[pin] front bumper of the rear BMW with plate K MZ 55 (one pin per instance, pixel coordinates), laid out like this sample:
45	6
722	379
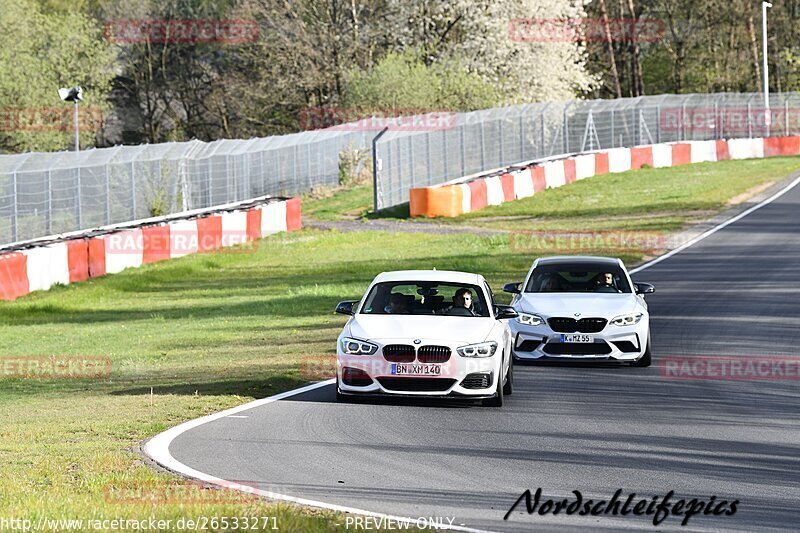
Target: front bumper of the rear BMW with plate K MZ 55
624	344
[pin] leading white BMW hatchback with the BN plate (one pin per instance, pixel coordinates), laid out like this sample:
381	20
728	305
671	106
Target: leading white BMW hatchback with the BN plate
426	333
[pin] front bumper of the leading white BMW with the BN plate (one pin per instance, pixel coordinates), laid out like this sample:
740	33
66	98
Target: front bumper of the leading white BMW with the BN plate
460	377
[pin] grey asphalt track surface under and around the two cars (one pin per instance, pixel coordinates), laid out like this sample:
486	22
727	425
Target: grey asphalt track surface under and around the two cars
735	293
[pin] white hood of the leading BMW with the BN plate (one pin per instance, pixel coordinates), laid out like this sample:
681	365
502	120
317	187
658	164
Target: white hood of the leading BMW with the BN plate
425	327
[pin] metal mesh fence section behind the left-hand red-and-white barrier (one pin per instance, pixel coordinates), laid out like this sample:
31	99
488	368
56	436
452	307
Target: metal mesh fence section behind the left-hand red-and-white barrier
52	193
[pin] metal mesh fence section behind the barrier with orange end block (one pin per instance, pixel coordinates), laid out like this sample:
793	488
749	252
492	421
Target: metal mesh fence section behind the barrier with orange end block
495	138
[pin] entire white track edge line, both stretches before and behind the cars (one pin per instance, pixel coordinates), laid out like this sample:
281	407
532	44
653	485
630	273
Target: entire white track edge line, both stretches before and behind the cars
157	448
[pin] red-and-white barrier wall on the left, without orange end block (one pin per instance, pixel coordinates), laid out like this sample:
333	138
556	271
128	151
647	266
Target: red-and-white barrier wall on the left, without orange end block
40	267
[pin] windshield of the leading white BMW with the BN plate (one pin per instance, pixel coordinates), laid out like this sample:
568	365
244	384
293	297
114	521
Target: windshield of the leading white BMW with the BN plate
425	298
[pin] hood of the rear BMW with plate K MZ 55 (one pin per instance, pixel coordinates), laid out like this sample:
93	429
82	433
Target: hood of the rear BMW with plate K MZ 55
587	304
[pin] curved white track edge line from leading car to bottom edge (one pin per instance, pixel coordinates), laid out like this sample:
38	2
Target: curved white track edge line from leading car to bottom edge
157	449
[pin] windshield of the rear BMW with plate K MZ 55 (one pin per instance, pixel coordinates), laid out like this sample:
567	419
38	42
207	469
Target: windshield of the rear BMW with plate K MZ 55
579	277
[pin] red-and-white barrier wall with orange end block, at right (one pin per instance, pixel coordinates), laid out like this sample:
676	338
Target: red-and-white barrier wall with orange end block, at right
464	196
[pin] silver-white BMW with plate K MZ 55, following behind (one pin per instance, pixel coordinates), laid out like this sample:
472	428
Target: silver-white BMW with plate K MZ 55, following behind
580	308
